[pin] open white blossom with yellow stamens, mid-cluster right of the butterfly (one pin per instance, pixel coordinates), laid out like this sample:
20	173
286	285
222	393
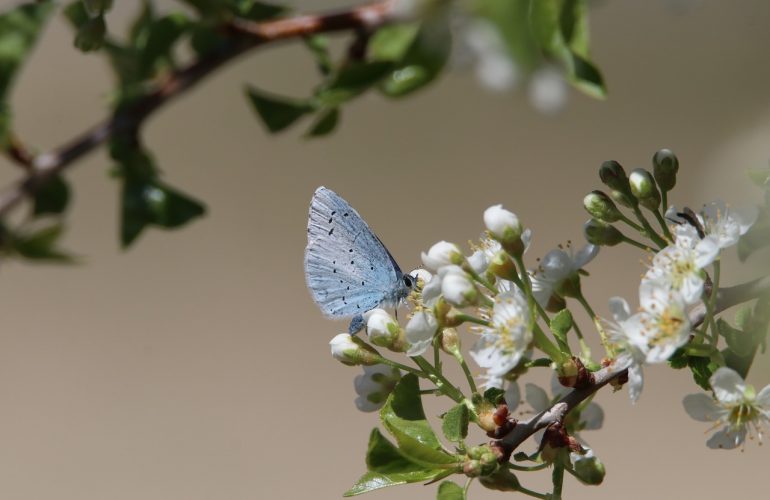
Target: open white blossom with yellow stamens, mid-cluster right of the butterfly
503	344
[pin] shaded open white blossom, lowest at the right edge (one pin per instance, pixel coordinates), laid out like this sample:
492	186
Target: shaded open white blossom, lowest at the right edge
735	407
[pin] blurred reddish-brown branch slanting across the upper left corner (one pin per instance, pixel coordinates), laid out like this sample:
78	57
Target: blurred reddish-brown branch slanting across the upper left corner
242	35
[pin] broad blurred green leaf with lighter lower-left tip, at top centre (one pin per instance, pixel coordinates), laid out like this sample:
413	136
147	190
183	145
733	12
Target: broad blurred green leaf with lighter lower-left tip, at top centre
424	60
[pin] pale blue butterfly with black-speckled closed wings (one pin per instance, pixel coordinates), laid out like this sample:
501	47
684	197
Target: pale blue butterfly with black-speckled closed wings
347	268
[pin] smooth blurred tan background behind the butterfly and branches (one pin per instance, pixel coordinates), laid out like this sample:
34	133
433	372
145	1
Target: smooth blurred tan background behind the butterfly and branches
195	365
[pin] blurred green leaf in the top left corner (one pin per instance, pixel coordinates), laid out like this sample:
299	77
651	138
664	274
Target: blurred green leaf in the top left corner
20	28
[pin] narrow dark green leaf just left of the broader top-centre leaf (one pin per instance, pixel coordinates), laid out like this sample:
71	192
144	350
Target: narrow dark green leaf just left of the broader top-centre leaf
352	80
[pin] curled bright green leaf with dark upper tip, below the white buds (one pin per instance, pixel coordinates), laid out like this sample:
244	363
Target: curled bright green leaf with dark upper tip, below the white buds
404	418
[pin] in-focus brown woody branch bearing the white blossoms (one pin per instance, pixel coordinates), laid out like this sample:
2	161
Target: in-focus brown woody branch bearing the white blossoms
727	297
